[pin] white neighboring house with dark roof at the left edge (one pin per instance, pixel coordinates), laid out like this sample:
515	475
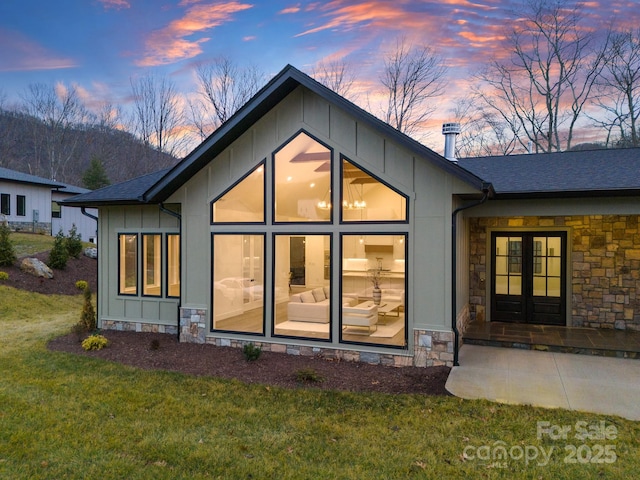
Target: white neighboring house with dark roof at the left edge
29	203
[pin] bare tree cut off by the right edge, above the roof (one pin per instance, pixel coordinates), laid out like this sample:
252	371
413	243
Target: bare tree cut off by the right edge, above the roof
619	89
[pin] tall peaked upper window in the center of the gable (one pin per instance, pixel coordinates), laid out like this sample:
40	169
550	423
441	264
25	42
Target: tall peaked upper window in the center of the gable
302	173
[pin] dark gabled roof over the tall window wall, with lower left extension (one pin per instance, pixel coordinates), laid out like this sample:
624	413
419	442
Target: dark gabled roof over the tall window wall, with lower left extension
269	96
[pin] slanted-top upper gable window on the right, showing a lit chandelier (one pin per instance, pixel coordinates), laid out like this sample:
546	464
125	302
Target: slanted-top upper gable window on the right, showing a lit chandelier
367	199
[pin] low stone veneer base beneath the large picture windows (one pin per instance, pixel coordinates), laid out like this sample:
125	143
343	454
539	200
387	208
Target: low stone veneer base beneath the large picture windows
432	348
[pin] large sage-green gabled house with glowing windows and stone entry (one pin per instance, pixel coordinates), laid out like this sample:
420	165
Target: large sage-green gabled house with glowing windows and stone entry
275	229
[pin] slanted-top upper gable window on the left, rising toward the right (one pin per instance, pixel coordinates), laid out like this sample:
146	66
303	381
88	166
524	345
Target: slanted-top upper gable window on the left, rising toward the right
243	202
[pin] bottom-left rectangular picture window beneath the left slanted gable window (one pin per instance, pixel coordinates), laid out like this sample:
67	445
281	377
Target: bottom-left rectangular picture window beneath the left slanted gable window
238	283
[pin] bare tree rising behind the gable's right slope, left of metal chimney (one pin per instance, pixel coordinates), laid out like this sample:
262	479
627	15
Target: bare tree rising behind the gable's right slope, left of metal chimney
413	76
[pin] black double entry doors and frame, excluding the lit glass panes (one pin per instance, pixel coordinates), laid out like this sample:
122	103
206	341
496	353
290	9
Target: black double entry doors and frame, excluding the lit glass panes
525	308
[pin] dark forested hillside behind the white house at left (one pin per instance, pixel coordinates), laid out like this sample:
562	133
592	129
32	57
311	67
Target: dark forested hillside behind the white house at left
64	153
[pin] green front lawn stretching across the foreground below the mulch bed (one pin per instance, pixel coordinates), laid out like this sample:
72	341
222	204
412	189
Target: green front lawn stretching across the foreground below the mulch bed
63	416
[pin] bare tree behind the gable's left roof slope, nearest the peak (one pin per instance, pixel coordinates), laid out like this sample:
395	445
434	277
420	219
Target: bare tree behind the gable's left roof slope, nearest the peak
223	88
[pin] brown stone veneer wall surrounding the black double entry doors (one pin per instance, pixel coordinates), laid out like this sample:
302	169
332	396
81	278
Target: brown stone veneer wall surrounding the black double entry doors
604	266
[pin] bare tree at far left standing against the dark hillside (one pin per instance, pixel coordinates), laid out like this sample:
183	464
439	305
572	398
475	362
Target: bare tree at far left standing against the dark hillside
61	112
